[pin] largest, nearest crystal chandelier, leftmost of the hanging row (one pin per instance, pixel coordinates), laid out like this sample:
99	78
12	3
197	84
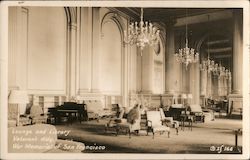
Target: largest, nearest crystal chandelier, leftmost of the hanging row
141	34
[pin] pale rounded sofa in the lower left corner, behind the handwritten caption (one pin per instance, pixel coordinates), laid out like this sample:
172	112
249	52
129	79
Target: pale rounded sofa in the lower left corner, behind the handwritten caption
40	138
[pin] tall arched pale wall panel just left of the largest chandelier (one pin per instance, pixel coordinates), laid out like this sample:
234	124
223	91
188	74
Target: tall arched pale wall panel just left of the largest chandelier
111	59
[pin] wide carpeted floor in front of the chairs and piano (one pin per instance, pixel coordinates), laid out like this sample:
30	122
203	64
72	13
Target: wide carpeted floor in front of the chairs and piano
210	138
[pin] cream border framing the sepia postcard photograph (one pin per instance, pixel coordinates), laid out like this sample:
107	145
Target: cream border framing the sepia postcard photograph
168	4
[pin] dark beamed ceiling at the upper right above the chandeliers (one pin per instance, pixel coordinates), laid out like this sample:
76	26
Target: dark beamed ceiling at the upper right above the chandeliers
220	19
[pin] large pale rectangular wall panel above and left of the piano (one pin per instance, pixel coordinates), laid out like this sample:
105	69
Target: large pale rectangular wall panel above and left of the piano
47	49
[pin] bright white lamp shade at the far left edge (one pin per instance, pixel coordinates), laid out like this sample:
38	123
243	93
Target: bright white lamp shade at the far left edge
18	97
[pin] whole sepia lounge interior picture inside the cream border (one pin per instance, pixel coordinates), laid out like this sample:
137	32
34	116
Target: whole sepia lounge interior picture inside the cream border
138	79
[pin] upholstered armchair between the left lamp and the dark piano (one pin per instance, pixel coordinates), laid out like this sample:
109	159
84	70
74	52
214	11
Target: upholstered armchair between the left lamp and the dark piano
37	115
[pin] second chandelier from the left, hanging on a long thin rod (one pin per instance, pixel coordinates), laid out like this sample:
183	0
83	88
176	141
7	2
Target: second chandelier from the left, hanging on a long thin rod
187	55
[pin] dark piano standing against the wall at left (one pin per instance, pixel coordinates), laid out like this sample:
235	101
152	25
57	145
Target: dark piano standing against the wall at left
69	110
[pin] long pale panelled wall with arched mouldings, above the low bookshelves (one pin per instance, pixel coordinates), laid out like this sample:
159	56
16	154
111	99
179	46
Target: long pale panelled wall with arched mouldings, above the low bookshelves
105	66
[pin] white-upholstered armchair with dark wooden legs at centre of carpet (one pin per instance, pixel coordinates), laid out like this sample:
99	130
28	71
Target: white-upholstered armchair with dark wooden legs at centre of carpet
155	124
